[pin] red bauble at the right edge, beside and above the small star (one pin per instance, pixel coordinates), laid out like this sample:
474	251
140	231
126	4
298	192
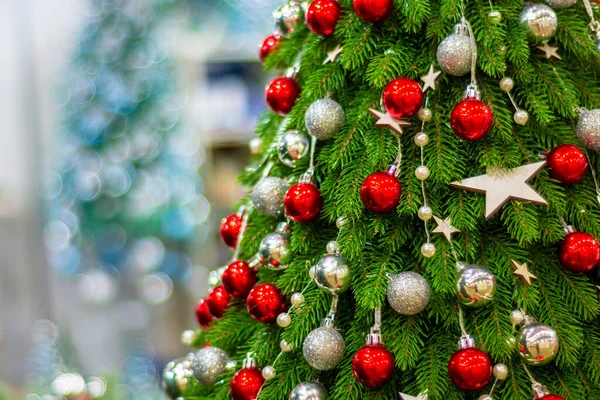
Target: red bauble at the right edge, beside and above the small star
579	253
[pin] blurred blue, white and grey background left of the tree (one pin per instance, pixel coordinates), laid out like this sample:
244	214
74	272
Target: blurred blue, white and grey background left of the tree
124	126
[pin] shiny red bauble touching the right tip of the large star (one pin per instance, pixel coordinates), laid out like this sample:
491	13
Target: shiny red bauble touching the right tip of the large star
567	164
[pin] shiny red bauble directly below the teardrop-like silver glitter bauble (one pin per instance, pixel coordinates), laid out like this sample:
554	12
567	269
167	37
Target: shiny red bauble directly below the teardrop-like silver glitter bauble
471	119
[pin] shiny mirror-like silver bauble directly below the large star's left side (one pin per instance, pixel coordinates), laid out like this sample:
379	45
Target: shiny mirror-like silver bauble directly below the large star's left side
476	286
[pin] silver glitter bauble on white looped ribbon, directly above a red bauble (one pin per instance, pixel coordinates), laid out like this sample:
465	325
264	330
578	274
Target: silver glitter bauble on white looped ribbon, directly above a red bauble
455	52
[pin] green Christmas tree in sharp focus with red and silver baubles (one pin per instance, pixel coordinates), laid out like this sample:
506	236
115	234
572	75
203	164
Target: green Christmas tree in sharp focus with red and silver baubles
428	183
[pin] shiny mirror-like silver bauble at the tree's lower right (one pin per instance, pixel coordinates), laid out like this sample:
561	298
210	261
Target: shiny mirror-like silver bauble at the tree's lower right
537	343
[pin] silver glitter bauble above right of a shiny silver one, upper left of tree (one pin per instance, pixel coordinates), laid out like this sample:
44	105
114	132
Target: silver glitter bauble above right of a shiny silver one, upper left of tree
324	119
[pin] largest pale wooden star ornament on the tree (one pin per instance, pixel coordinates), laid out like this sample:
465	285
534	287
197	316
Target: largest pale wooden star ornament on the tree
501	185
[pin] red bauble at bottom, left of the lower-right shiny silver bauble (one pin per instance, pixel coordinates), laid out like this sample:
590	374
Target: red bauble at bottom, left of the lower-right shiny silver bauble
470	369
